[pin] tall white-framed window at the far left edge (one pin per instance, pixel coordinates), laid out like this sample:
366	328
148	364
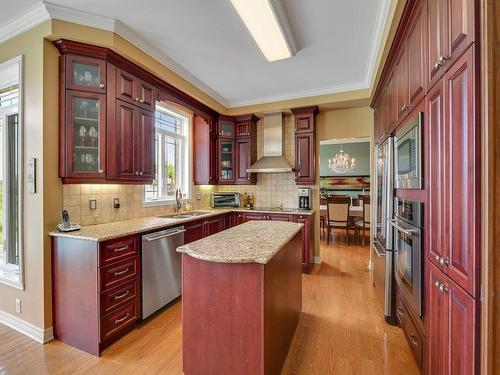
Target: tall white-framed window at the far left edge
10	173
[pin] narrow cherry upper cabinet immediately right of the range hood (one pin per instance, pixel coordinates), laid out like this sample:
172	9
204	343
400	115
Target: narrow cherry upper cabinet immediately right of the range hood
305	144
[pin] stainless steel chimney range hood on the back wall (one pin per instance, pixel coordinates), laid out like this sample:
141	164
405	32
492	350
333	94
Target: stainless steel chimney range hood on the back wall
273	160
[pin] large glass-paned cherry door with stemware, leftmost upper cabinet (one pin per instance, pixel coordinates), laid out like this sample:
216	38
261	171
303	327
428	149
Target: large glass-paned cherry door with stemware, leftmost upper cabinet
85	135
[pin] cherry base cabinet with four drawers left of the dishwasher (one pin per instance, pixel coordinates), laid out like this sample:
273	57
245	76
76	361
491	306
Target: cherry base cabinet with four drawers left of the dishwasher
96	290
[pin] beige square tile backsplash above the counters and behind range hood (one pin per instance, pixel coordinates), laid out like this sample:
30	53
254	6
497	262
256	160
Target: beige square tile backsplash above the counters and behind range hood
271	190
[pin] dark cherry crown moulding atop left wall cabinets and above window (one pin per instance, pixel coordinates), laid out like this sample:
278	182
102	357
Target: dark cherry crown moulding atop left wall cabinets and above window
166	91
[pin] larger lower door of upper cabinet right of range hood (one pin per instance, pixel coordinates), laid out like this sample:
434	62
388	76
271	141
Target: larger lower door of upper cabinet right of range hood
304	158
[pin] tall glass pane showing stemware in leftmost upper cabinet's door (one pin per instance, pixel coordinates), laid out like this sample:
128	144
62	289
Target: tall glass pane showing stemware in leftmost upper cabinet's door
86	135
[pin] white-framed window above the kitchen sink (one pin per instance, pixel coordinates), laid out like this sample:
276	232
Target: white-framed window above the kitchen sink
173	154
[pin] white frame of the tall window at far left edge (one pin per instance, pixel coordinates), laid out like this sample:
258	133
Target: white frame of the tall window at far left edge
20	282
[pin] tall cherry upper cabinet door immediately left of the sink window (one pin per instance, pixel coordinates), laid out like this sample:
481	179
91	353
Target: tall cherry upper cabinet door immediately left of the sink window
144	145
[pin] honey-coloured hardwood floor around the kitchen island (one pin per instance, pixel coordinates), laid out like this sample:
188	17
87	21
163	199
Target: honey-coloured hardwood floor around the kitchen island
341	332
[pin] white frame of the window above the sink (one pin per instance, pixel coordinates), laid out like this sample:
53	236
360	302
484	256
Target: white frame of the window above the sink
187	117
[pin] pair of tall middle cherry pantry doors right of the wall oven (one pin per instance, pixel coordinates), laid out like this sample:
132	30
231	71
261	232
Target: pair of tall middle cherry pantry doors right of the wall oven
454	188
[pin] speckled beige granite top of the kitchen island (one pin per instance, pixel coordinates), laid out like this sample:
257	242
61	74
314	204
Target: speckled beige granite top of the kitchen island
250	242
